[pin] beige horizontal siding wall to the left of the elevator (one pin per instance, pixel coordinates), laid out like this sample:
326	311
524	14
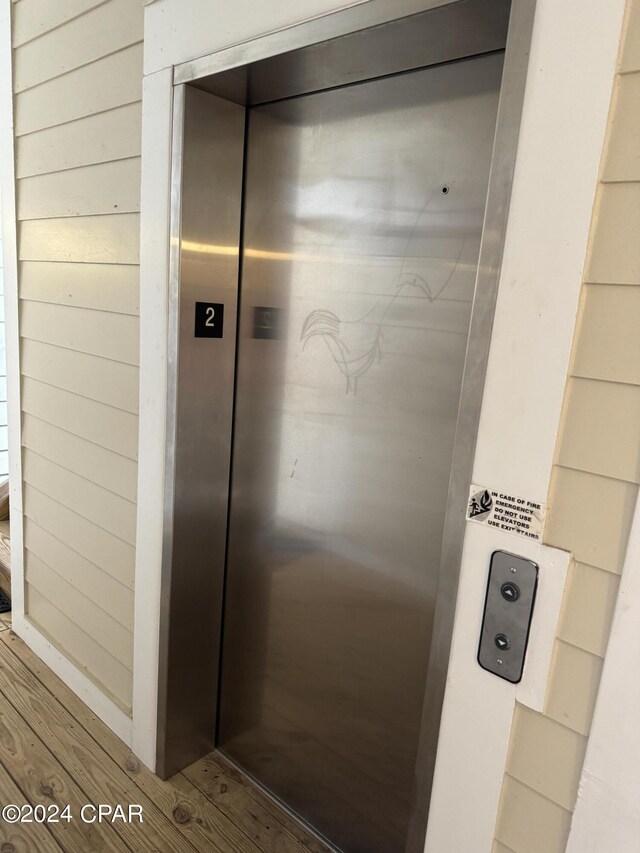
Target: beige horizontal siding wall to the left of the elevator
77	83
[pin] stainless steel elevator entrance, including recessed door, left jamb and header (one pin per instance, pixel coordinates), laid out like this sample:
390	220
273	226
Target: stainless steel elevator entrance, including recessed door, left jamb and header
328	218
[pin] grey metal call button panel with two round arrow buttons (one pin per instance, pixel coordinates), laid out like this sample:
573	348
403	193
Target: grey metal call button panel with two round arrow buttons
508	607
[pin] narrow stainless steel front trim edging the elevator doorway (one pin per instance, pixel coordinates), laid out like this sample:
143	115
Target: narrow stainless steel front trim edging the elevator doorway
359	17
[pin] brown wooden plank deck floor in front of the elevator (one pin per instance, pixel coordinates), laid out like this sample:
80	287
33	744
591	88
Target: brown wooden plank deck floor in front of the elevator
54	752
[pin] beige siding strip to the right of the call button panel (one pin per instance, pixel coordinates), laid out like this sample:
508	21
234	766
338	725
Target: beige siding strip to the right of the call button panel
594	489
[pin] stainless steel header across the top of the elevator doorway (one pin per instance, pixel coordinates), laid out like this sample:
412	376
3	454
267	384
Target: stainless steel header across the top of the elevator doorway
351	46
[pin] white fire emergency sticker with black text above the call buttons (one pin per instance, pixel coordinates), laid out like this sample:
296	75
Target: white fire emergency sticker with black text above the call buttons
506	512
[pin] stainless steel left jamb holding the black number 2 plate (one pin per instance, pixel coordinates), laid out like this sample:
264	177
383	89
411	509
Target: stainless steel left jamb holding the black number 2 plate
198	470
